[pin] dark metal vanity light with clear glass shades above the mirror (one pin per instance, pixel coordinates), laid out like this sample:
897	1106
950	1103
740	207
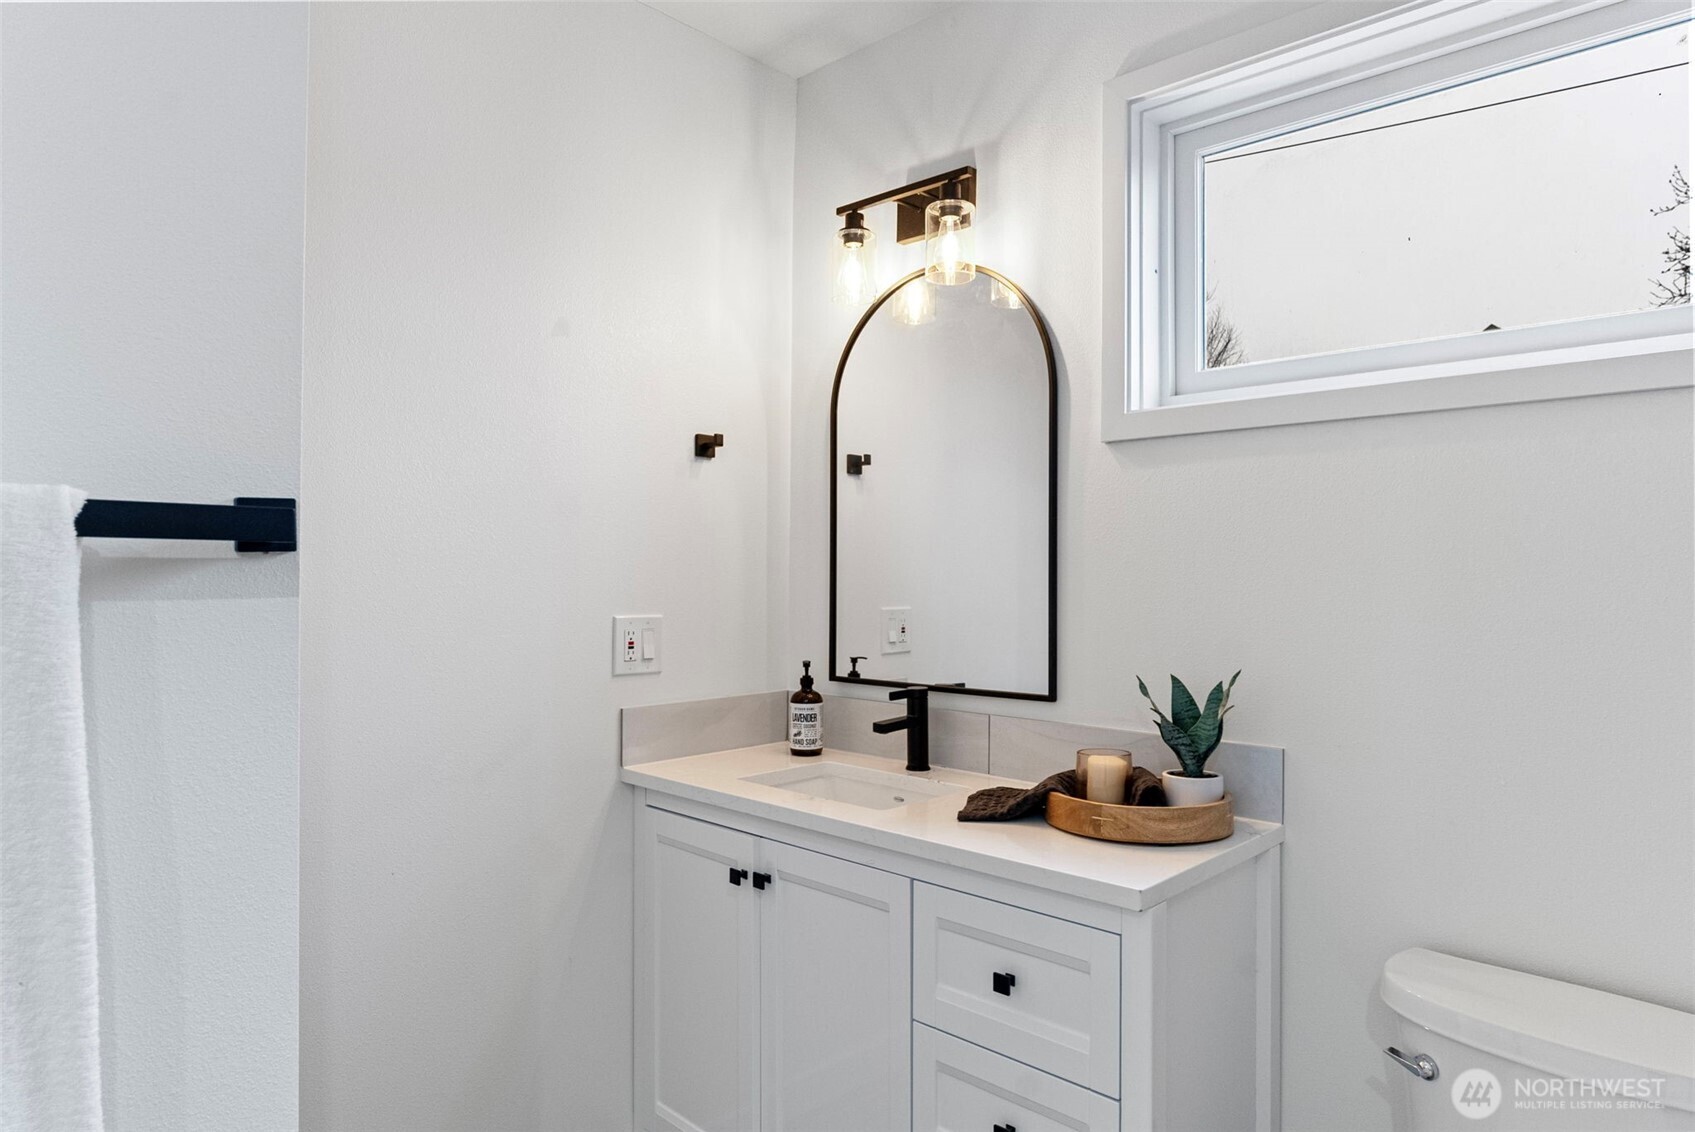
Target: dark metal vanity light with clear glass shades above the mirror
940	211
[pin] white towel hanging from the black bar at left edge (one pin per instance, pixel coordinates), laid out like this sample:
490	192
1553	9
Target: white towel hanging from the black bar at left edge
50	1004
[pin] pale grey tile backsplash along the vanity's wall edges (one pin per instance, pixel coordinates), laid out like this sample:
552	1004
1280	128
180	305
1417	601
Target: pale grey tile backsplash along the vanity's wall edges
1009	746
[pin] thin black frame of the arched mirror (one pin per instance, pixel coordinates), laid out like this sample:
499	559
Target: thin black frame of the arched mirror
1053	501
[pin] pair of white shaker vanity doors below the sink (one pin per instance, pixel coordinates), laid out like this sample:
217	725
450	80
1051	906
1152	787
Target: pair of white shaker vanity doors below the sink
774	985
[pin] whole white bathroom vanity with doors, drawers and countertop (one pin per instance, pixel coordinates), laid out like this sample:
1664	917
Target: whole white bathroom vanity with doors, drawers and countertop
908	972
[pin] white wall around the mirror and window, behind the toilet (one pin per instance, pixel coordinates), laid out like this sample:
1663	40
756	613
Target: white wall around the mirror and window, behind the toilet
1462	626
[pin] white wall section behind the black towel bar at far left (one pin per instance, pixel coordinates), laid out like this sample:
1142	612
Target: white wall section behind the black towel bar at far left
152	350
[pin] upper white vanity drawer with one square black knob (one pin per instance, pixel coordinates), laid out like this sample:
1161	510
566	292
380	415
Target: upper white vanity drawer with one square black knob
1026	985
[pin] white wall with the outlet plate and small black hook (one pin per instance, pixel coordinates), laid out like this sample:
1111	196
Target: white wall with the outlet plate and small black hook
547	245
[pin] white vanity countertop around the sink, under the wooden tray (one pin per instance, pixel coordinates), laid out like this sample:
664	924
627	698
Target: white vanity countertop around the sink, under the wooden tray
1028	850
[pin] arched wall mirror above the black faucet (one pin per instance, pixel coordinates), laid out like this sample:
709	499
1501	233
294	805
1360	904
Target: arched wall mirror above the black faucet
945	494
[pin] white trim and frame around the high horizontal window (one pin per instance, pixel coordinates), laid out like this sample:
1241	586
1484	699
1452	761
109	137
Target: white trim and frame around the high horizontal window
1296	58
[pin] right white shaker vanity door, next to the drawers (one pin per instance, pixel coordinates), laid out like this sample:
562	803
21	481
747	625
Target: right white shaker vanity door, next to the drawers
836	994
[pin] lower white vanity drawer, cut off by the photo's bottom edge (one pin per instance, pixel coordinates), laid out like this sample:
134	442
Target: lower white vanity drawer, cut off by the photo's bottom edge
957	1085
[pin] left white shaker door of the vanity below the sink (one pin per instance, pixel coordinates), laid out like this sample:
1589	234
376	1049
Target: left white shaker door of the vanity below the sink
697	984
